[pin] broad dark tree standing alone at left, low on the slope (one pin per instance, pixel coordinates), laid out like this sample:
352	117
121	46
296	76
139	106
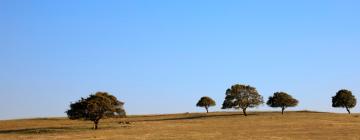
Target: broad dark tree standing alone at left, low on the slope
94	108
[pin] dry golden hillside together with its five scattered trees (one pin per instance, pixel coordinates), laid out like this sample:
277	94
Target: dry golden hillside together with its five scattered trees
105	110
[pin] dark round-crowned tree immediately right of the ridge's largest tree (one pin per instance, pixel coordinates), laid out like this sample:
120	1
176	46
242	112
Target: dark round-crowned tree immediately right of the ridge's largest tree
283	100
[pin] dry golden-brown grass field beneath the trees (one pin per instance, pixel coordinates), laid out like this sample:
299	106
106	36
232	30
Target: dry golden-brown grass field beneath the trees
197	126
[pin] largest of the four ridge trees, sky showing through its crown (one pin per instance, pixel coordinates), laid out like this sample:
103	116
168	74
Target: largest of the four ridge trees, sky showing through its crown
242	96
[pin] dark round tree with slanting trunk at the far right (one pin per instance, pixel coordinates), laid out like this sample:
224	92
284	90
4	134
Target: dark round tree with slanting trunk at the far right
345	99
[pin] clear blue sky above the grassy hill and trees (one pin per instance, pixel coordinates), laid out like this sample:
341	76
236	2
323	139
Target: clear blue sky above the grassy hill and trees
162	56
